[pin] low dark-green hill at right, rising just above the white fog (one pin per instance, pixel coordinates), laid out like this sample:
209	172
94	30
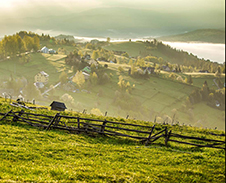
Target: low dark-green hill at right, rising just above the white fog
201	35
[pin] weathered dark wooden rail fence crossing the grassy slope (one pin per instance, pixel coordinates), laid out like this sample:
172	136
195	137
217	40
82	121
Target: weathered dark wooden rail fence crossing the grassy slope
144	134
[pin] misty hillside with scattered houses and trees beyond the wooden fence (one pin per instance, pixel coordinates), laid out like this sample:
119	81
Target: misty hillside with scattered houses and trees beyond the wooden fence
145	80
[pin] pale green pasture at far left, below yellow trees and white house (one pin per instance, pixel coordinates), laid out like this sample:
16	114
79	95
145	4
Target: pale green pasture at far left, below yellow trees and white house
51	64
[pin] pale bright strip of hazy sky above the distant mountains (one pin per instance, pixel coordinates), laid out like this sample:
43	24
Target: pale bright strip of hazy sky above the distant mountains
13	6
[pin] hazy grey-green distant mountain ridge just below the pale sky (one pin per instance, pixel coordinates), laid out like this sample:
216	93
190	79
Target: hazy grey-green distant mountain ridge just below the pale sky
115	23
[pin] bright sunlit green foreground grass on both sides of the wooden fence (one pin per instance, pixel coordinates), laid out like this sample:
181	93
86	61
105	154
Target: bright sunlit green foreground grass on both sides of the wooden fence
30	154
